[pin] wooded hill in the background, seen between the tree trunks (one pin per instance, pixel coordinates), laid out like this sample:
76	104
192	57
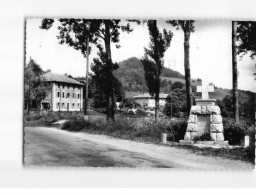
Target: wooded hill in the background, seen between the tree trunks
131	75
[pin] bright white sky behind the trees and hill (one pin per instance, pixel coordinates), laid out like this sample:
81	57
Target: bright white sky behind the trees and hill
210	52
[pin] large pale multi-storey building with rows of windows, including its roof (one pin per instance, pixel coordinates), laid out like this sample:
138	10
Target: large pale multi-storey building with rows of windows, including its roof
66	94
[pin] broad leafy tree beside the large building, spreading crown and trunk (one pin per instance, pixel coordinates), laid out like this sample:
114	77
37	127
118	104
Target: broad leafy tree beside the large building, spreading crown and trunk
102	33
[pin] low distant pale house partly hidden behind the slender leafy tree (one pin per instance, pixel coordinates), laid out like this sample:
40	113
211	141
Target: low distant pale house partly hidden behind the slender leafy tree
146	100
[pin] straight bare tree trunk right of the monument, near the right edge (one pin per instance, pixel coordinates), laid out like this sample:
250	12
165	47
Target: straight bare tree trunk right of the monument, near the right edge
235	74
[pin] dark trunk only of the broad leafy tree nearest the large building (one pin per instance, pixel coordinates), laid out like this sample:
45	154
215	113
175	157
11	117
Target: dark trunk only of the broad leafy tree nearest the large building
110	94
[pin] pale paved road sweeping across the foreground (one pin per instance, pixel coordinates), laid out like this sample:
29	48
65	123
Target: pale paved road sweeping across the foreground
53	147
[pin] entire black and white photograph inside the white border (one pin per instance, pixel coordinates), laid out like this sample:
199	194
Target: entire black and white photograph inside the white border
139	93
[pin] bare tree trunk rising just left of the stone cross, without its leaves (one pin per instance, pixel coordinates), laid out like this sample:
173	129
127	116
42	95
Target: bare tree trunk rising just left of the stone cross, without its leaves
187	67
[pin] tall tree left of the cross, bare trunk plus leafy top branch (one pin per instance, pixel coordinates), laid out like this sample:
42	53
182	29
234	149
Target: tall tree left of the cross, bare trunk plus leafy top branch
188	27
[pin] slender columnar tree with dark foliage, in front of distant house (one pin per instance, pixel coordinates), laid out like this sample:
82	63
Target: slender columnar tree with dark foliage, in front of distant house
153	60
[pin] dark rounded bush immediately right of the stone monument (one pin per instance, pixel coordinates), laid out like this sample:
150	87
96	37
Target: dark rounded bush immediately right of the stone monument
234	132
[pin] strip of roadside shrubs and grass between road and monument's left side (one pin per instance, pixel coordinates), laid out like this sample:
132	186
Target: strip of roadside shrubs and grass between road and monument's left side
126	128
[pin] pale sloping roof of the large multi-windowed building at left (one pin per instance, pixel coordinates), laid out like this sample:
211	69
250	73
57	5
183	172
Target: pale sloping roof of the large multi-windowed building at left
60	78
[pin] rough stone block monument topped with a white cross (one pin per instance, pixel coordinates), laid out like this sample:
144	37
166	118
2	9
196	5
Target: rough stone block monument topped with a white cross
204	117
